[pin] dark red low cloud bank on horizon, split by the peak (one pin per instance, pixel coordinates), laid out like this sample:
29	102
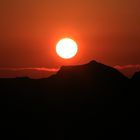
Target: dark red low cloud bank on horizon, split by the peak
38	73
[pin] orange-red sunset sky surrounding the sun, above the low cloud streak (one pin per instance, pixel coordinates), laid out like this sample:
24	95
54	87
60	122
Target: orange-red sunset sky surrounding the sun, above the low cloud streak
105	30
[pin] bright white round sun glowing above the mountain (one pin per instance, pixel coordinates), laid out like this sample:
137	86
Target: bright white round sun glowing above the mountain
66	48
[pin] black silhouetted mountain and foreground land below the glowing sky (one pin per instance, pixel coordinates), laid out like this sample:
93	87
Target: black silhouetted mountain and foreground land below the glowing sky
79	102
